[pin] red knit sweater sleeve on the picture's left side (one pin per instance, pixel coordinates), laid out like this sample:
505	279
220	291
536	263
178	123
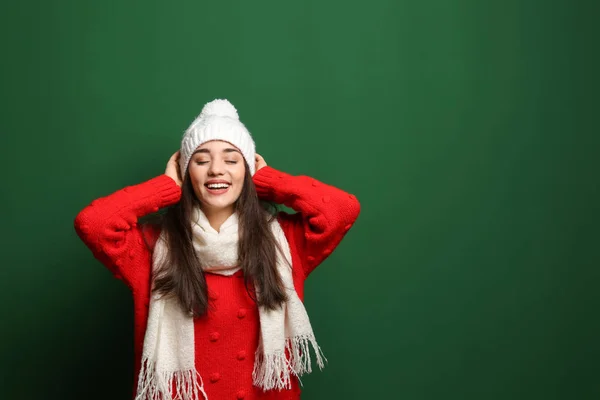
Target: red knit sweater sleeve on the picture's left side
108	226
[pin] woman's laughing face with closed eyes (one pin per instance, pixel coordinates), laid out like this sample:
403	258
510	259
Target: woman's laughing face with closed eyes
217	173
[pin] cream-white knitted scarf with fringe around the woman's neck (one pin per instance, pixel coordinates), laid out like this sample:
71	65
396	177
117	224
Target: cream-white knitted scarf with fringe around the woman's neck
168	354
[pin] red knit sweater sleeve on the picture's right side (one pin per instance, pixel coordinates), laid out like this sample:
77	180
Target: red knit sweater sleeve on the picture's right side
324	213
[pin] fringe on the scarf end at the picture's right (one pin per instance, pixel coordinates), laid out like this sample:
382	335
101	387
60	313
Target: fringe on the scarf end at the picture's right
272	371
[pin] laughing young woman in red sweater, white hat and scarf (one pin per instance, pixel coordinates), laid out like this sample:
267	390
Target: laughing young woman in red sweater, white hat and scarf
218	284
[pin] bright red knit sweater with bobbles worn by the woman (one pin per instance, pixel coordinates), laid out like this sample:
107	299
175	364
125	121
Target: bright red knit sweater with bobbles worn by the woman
228	335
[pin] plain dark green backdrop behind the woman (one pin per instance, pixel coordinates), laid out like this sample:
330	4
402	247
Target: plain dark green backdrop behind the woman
466	129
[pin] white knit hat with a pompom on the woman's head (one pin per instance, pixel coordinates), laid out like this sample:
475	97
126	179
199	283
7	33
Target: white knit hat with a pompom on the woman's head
218	120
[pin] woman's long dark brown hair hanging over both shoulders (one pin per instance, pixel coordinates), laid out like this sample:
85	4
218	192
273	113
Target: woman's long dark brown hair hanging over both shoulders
180	273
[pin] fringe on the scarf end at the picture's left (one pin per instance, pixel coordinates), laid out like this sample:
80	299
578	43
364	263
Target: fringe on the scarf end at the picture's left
154	385
